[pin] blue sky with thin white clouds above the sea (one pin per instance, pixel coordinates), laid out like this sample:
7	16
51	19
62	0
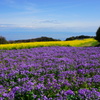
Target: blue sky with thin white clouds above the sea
50	15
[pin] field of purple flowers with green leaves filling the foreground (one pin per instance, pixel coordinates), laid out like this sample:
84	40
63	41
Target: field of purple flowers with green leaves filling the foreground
50	73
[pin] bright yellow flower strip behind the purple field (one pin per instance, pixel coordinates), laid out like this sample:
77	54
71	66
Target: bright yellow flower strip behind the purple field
74	43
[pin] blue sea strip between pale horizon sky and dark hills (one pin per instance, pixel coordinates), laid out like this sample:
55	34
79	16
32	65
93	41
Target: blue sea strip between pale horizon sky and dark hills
18	35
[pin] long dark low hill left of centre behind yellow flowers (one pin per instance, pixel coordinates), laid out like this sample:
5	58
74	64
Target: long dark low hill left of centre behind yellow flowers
34	40
